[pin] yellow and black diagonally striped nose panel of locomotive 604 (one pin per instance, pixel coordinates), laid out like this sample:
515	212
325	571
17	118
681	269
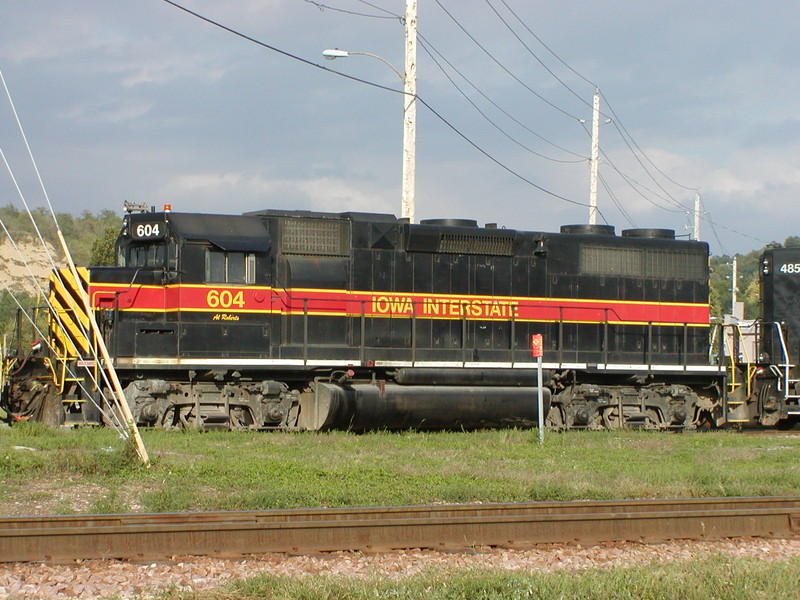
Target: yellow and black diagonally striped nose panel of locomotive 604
69	323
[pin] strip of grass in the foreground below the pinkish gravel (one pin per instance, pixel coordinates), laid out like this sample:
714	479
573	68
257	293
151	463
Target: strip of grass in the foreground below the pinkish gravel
714	578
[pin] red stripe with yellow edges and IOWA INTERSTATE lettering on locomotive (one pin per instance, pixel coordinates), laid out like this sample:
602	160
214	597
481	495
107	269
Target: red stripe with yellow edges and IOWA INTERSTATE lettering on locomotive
376	304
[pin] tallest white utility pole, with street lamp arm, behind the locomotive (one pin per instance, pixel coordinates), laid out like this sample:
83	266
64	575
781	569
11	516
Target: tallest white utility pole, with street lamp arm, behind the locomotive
410	111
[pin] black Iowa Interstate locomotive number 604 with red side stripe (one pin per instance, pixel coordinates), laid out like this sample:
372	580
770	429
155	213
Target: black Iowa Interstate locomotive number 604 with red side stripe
304	320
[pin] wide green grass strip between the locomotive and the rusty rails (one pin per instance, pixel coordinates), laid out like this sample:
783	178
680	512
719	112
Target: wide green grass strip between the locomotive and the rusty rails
92	470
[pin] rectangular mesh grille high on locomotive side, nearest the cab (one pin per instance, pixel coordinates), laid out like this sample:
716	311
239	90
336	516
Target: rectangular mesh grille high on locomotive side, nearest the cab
315	237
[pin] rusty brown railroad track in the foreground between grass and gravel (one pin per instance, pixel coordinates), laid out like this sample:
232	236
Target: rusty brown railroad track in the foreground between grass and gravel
457	527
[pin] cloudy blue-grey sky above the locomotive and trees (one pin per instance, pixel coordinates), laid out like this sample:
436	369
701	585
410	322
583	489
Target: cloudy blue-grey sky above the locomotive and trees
141	101
